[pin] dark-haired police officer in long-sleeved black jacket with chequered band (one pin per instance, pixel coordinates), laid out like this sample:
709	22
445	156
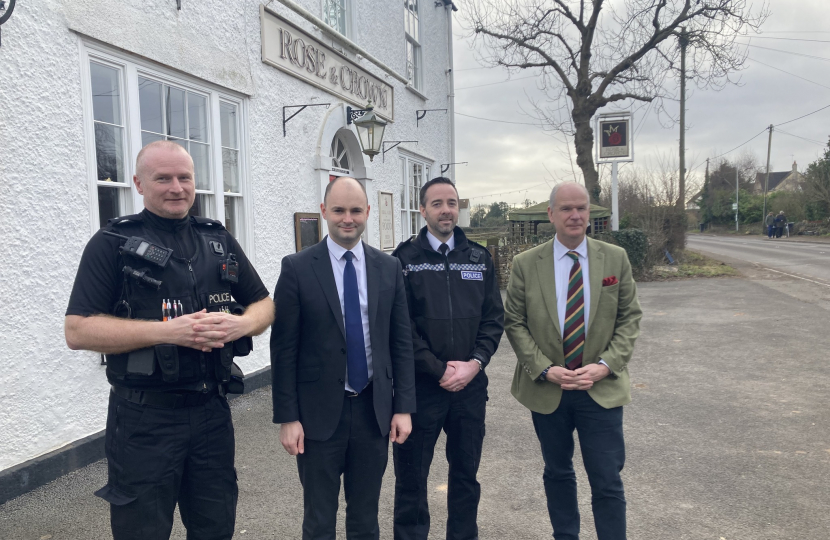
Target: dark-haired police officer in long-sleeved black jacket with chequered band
457	322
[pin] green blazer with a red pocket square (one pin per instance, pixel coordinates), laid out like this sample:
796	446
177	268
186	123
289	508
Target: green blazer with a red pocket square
531	323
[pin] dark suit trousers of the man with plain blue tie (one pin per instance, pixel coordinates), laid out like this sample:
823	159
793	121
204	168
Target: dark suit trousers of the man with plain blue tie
359	453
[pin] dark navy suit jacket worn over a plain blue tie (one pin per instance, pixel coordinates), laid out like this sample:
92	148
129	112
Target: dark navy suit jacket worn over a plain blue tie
308	342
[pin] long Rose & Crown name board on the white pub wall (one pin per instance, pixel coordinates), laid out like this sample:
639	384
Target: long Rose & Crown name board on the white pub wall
296	52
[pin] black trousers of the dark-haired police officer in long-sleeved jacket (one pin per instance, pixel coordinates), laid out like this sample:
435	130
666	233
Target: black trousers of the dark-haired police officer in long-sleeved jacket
461	416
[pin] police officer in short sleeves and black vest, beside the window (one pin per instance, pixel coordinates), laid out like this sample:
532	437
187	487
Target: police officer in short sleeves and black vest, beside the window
170	324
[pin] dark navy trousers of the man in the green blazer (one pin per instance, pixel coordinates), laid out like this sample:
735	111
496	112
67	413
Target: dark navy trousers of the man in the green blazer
603	453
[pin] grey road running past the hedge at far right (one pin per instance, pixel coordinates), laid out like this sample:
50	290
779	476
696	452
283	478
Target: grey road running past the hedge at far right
800	260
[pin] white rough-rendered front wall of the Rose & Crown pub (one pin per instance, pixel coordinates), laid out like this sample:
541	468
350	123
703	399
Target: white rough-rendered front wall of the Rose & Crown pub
51	396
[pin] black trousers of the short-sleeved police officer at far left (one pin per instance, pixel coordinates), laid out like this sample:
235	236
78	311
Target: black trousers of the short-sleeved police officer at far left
159	457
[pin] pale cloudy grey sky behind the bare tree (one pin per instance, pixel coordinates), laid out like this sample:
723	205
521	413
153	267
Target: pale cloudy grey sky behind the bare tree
514	162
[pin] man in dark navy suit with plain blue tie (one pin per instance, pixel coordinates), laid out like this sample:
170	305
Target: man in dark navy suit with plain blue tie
342	366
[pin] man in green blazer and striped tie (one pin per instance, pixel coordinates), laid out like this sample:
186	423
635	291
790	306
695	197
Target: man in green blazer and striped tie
572	316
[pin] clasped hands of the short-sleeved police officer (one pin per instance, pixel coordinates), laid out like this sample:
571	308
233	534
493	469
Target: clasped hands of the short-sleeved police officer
205	331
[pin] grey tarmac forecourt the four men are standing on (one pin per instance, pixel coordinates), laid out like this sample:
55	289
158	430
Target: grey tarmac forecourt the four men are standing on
727	437
